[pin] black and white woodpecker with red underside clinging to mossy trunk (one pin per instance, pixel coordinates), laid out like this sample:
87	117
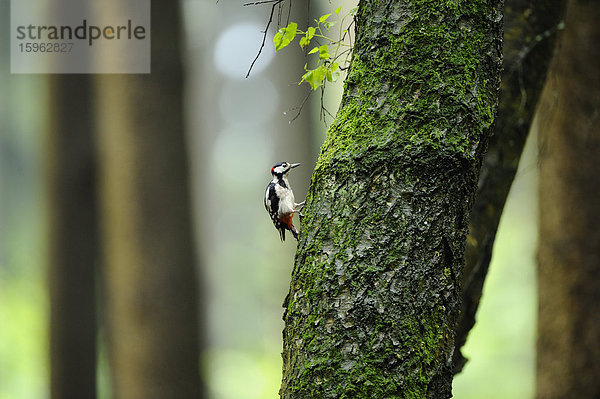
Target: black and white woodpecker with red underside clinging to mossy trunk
279	199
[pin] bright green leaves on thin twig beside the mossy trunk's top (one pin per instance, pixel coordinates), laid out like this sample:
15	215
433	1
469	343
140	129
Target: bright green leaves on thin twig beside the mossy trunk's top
327	68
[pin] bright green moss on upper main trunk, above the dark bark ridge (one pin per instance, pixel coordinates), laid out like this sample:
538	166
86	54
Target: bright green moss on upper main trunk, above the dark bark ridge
418	87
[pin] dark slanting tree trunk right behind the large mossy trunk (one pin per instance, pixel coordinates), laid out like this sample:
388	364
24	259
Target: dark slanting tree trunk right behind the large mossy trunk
529	36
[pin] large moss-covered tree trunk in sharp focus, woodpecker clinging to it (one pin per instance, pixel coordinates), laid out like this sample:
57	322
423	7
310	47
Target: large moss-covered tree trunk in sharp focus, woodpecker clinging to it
375	291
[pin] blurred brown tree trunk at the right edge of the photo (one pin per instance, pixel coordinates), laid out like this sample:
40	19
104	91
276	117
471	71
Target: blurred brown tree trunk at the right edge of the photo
568	363
